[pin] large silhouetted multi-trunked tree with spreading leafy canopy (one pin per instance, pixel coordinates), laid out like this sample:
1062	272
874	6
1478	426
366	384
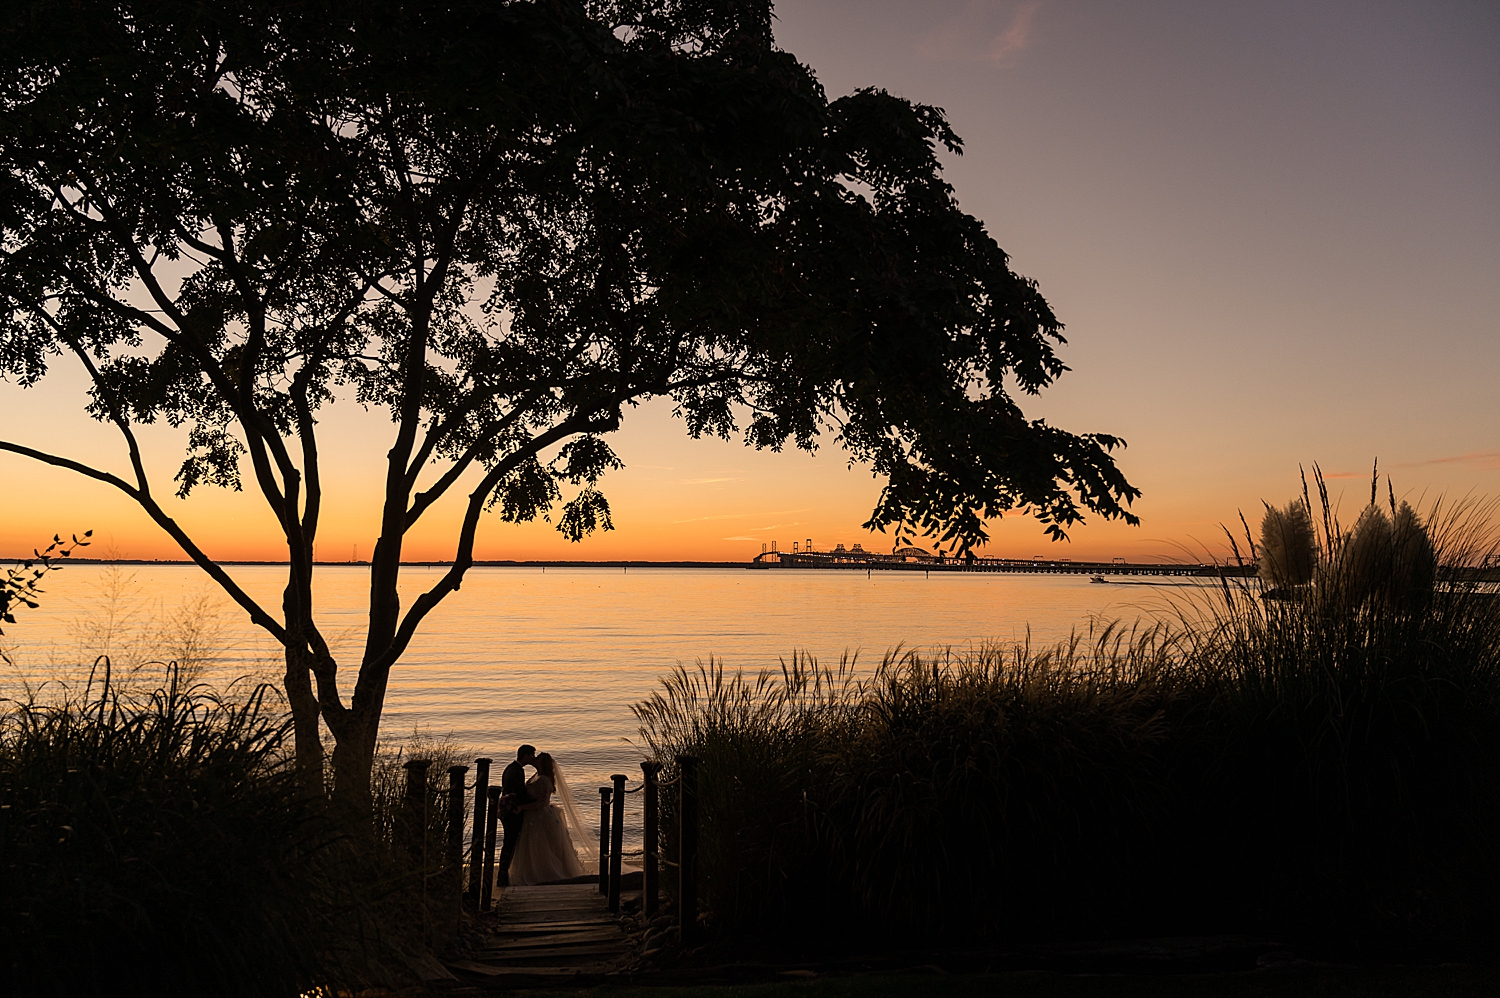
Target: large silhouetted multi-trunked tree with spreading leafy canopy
502	223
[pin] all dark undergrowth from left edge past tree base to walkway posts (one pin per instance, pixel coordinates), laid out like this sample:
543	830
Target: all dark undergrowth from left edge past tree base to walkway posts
158	844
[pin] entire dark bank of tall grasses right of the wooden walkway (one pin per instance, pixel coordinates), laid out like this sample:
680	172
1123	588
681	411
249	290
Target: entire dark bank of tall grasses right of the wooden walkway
1324	766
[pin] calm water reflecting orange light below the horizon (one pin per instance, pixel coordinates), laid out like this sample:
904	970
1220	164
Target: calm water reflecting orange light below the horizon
556	657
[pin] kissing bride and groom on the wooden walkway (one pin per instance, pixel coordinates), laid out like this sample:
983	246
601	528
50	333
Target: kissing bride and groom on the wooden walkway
541	822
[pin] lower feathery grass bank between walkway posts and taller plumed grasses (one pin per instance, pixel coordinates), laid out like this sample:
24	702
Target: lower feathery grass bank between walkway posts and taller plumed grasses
938	796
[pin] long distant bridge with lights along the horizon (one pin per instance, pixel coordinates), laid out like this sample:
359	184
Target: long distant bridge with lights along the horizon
899	562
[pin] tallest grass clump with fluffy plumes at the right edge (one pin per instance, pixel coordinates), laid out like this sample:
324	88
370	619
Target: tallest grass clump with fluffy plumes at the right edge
1355	727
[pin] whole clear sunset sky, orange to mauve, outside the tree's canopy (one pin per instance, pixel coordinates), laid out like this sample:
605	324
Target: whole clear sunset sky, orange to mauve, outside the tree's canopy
1273	232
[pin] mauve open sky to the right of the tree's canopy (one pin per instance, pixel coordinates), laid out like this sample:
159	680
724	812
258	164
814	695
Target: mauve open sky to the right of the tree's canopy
1273	229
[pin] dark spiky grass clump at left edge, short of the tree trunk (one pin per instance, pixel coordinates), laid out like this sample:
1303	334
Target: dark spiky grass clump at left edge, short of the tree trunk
157	844
